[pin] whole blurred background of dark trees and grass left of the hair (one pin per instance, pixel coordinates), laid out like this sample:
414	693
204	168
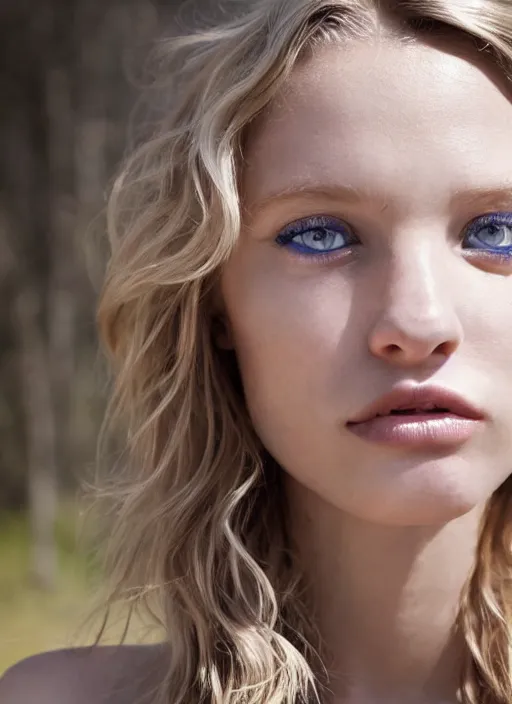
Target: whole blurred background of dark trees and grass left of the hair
68	88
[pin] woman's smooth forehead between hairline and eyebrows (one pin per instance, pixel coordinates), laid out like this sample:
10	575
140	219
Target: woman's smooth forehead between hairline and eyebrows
383	115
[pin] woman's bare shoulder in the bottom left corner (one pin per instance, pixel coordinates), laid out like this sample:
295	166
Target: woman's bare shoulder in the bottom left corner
128	674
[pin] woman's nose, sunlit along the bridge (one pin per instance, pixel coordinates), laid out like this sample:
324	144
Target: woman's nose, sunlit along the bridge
417	320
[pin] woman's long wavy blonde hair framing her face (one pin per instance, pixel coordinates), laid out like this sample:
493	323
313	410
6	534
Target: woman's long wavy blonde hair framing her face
200	532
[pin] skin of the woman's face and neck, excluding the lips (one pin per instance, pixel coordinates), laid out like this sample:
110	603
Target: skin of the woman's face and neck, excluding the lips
399	147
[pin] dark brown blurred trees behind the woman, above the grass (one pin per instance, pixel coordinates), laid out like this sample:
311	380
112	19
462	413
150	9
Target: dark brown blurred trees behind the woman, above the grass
65	104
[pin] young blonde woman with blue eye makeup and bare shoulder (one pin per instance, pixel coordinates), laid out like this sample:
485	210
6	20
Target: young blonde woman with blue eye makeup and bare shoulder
308	310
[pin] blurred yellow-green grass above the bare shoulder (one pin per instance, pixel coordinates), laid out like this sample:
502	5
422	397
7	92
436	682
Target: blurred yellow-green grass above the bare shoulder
33	620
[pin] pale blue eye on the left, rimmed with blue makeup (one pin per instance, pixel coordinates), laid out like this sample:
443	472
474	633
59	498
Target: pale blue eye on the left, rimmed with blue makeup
316	235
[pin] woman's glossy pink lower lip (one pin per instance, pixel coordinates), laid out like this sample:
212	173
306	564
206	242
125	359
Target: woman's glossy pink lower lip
417	429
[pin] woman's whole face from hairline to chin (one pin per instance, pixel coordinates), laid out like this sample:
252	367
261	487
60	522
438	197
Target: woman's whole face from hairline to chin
376	256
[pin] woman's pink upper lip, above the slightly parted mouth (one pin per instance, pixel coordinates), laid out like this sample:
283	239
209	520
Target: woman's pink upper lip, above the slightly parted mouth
419	398
